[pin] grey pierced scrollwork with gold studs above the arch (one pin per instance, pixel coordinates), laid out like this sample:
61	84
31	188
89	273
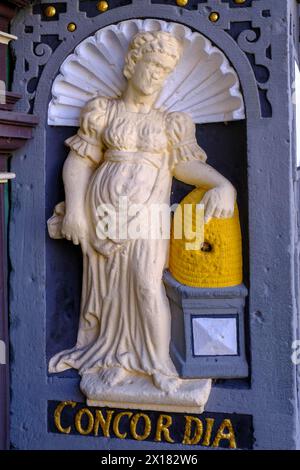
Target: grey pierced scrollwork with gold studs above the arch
248	24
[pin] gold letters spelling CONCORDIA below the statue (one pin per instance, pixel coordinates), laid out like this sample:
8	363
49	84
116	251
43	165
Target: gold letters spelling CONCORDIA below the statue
93	421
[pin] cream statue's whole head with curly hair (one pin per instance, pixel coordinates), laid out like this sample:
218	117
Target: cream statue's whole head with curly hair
152	56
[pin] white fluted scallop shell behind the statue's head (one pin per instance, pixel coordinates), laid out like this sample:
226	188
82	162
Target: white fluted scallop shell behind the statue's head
204	84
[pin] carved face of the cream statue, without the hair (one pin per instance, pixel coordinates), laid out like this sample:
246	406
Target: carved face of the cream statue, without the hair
151	72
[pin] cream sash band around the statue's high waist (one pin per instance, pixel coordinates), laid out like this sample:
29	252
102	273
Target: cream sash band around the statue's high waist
122	156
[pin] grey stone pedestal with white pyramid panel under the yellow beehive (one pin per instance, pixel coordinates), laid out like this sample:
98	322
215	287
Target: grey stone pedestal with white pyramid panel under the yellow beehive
208	335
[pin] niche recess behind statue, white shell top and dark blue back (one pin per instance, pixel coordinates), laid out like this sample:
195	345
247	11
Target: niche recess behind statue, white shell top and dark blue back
221	131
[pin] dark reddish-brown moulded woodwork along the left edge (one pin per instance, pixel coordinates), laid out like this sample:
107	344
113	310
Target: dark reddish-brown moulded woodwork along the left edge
15	129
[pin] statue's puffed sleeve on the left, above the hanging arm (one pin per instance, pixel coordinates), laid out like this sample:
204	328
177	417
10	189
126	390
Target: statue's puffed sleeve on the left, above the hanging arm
87	143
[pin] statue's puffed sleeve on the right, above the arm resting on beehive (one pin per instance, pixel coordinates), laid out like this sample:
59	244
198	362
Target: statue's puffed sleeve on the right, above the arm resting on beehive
183	145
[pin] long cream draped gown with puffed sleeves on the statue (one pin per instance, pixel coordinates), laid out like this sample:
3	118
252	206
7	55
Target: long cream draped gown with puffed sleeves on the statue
125	313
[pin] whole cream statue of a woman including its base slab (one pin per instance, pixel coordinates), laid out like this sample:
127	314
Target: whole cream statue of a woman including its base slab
127	148
